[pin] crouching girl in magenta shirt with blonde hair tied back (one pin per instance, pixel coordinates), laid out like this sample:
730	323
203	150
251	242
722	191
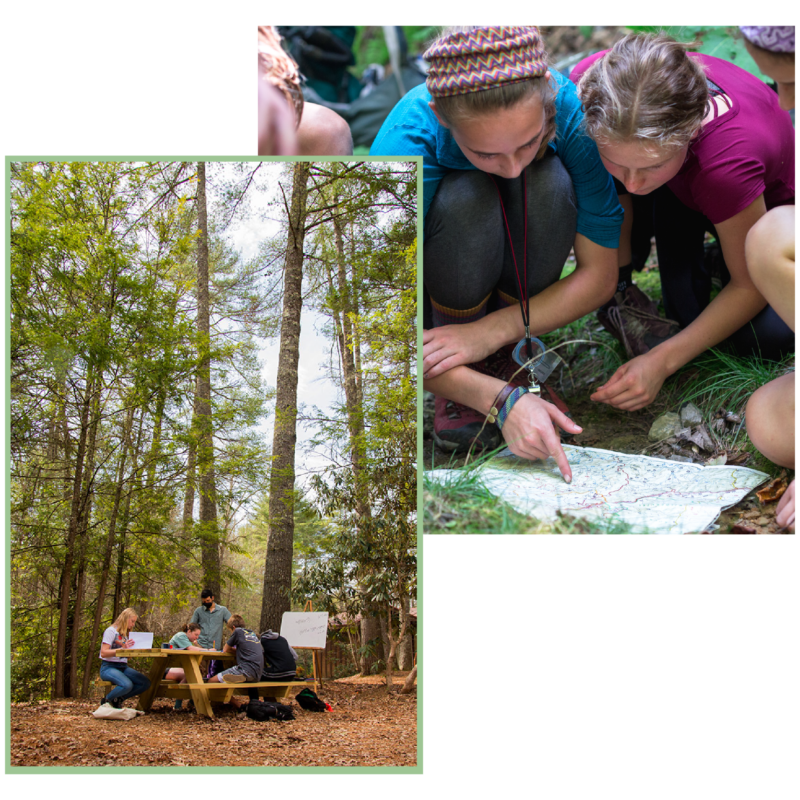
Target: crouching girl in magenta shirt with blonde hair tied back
708	148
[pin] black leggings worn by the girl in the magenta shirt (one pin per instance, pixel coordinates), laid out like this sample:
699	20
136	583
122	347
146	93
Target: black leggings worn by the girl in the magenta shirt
685	280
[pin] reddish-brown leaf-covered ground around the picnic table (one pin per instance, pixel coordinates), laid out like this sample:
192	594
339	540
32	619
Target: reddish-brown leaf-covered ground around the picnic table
367	728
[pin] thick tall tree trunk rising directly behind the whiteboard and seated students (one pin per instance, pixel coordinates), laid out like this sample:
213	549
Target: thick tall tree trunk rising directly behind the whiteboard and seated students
278	566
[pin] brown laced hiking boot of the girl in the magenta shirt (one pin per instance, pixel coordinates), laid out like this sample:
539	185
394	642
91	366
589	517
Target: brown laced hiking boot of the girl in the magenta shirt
632	318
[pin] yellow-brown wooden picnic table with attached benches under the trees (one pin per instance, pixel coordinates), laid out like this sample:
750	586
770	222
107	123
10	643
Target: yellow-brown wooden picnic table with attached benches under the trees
195	688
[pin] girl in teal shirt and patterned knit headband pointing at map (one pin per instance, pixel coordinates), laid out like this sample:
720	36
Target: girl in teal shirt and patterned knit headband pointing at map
510	185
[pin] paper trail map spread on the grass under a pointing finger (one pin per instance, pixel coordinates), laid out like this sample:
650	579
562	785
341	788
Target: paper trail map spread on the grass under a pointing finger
665	498
